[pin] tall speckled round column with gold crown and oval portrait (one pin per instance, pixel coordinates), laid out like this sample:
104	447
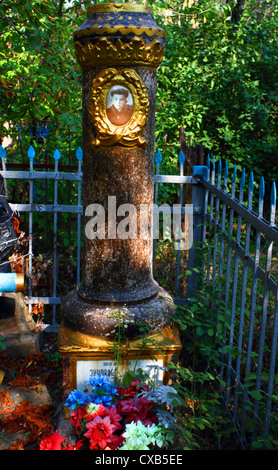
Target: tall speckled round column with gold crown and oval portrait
119	48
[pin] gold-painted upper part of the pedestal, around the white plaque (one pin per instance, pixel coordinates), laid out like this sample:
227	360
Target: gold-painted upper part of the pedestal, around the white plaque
75	348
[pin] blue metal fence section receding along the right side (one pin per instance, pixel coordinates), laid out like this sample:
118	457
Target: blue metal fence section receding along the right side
242	258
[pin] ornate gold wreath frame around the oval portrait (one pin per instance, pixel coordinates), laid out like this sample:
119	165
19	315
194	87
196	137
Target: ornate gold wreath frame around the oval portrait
108	134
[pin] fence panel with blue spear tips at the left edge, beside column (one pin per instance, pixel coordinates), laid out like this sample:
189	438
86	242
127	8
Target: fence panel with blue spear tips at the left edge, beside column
34	206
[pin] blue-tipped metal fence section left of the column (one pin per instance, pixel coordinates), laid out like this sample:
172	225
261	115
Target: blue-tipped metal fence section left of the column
33	207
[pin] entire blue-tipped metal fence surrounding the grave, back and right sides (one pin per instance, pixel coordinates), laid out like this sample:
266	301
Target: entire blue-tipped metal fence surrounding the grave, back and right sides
240	265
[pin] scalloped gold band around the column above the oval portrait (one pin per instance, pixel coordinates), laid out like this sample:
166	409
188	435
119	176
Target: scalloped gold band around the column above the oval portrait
105	52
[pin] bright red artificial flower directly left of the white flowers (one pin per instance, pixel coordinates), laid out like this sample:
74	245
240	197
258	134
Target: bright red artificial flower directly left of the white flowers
99	432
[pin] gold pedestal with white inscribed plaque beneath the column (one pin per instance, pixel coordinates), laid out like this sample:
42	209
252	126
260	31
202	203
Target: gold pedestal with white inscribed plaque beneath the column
85	355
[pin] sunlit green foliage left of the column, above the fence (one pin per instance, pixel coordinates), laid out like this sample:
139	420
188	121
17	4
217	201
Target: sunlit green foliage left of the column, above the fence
40	79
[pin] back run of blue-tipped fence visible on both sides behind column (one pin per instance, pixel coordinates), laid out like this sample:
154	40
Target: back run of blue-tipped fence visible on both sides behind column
32	206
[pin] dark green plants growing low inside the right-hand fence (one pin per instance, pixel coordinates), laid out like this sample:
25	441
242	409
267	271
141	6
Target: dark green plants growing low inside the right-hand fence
203	421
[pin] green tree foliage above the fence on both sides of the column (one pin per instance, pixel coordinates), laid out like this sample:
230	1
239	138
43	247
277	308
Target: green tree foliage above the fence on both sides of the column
218	78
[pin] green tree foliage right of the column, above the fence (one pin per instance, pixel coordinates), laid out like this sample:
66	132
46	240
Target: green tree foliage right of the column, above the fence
218	80
